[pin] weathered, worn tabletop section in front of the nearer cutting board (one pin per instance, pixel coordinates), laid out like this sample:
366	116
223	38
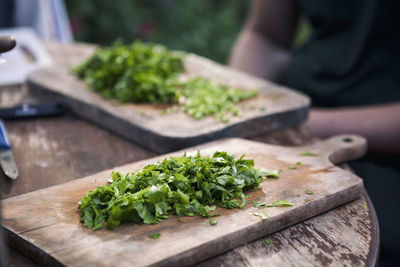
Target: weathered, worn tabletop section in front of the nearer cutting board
331	239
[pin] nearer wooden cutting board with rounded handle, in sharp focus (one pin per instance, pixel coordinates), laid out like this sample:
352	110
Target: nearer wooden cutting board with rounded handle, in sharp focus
45	224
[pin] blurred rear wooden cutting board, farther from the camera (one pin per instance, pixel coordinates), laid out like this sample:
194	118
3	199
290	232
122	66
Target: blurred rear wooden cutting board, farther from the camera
275	107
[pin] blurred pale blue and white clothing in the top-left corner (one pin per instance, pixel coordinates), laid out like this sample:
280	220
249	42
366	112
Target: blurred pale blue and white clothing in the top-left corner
47	17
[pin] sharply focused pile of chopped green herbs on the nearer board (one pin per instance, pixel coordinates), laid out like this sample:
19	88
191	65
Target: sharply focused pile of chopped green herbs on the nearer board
182	186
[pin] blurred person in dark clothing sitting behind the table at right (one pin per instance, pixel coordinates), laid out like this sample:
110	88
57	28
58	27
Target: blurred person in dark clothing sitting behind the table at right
350	67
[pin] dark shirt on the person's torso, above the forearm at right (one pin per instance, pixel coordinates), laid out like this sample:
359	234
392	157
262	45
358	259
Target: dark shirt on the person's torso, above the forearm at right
353	56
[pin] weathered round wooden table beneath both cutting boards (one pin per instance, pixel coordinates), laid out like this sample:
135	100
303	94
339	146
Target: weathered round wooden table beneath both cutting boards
51	151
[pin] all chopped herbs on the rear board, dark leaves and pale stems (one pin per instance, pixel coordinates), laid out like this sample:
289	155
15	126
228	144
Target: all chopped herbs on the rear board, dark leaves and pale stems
149	73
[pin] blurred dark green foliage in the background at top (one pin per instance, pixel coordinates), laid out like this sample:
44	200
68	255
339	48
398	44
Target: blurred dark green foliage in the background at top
205	27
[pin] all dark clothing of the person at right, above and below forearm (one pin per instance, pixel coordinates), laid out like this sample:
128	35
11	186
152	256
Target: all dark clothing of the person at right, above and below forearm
351	59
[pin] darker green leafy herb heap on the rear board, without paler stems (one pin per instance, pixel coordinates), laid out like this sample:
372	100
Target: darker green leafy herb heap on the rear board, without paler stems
139	72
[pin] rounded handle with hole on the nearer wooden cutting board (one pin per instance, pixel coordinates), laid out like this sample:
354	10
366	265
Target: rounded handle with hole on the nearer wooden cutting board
345	147
